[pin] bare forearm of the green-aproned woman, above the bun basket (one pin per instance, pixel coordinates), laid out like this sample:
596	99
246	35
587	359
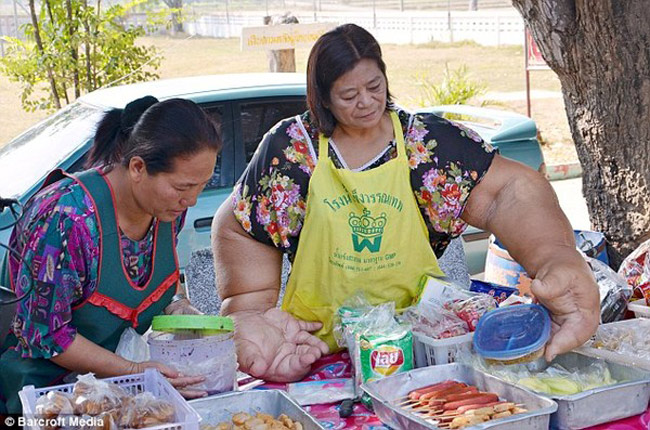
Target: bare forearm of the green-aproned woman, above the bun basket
84	356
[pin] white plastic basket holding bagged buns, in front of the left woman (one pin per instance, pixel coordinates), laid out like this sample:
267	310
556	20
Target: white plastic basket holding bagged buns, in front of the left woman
151	380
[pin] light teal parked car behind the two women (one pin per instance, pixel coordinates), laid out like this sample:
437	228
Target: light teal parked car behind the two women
245	106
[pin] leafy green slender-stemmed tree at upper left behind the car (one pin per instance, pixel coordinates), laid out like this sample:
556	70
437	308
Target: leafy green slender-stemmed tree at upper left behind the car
71	48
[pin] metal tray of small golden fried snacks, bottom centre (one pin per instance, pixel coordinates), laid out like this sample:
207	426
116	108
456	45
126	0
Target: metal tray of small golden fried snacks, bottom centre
220	408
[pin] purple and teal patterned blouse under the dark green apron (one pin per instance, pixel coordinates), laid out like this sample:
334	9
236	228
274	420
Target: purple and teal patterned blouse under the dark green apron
58	237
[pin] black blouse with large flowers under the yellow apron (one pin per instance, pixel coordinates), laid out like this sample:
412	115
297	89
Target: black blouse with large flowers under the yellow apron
447	161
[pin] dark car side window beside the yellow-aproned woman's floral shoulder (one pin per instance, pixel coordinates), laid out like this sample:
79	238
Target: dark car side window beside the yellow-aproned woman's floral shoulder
259	116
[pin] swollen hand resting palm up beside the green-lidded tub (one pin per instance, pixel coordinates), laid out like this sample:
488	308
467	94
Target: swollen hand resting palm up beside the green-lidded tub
274	346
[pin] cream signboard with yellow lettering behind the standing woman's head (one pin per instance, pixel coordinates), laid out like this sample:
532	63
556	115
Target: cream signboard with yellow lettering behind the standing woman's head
282	36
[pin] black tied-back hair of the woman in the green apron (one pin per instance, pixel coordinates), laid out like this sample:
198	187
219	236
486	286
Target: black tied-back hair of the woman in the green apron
158	132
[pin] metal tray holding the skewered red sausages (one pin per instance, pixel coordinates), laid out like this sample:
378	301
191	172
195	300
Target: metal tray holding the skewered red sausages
384	392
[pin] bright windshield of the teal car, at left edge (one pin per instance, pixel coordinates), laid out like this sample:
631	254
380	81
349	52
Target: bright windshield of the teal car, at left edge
43	147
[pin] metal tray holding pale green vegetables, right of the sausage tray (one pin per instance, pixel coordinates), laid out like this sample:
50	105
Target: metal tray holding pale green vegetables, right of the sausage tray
604	404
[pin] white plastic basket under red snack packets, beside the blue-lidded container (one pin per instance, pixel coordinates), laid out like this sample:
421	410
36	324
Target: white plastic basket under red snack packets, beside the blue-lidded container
429	351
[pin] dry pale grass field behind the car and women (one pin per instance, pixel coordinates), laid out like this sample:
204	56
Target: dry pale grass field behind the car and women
501	69
